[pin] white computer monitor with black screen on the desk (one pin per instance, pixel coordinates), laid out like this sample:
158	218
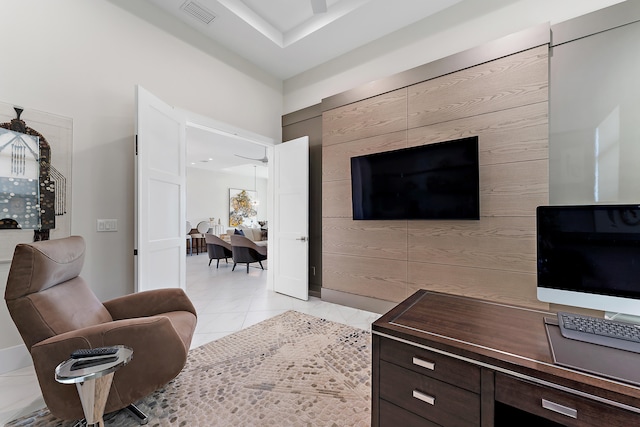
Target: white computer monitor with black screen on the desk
589	256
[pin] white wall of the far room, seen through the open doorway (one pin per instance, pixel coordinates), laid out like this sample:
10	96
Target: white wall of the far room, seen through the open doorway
208	195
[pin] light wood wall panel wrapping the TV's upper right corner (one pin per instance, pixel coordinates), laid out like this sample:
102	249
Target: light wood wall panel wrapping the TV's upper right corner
515	135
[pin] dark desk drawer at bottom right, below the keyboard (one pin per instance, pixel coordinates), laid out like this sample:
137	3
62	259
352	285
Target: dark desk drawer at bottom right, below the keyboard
562	407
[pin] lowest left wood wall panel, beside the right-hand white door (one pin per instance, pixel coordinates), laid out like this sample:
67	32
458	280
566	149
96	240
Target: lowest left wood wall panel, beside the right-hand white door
383	279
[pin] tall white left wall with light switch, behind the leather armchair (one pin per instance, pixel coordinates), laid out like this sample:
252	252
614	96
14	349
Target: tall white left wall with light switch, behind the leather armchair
82	59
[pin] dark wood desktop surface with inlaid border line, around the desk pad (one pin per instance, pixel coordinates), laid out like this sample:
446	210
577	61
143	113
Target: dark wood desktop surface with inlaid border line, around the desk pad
504	338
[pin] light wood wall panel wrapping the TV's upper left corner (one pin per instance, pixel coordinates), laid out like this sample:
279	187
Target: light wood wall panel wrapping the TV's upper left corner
336	158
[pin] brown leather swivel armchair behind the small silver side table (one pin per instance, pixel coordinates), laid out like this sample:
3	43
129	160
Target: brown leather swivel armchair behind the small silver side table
56	312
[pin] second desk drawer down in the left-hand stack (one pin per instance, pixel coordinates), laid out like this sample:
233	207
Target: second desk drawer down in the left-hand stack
429	398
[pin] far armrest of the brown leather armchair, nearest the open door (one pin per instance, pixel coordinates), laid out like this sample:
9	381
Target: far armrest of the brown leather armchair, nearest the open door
149	303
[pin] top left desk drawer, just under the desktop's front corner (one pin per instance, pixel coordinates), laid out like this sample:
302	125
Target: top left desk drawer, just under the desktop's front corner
432	364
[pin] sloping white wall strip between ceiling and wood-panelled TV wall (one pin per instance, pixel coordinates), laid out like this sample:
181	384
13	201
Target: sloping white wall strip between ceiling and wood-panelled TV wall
468	24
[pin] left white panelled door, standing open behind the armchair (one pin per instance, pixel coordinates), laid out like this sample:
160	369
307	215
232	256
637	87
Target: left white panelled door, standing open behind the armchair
160	233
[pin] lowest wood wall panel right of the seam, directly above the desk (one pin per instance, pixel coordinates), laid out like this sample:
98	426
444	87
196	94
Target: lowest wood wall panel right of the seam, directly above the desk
485	283
